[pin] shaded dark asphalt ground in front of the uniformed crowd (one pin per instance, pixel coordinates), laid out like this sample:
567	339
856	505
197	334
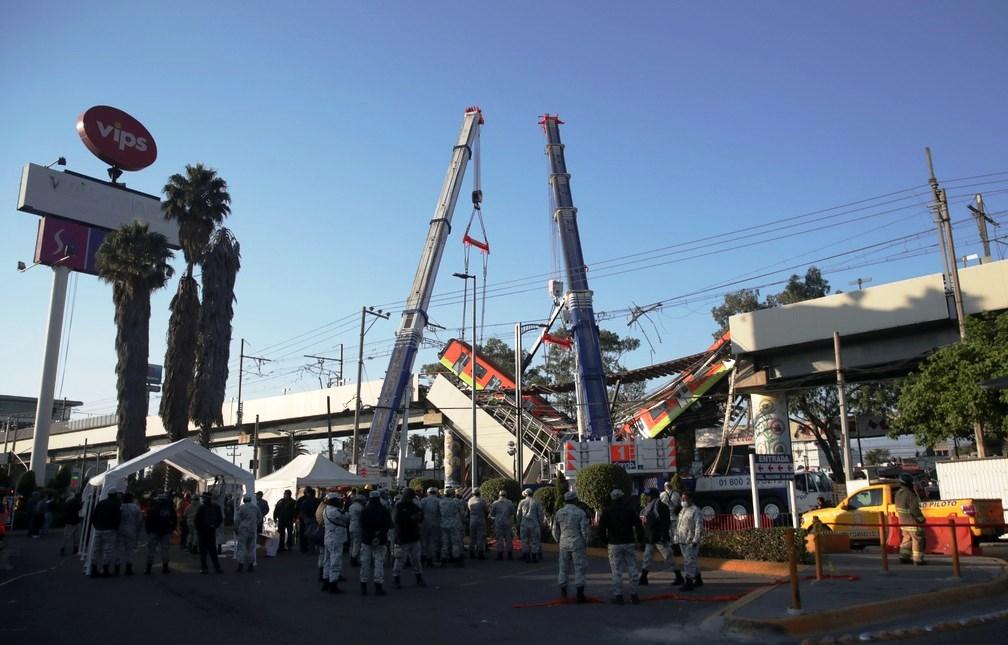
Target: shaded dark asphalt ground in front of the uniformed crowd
47	600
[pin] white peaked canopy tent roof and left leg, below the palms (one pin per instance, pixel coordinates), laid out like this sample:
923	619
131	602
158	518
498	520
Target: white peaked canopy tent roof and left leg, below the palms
184	455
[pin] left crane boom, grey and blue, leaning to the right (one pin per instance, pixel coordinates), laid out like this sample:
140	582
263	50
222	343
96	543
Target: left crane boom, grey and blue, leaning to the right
415	316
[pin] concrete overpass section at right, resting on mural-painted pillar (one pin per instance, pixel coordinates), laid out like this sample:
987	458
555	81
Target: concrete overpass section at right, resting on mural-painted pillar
886	331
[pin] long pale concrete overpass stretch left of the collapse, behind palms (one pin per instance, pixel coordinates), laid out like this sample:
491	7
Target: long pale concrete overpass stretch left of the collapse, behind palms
303	414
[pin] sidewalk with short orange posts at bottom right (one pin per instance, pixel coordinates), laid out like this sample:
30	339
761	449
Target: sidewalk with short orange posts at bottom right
856	593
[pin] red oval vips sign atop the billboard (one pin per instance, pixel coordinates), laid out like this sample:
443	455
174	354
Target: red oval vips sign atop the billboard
116	139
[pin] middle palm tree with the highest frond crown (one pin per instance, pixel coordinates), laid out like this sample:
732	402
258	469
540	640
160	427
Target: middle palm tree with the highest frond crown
198	201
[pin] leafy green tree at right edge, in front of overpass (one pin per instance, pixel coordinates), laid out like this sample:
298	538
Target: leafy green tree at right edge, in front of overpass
944	399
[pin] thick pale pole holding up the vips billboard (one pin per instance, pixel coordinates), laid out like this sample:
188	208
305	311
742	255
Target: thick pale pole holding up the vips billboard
51	362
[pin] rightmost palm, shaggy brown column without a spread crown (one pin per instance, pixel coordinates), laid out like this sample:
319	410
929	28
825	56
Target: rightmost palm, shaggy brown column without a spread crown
220	270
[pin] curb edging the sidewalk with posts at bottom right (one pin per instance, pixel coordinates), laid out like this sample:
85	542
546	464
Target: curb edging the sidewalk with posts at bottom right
857	614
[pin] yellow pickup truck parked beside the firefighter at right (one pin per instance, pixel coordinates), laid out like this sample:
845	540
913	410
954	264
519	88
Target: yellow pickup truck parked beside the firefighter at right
866	506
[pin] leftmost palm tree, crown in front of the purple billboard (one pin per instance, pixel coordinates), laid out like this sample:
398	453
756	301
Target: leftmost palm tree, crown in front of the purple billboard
136	262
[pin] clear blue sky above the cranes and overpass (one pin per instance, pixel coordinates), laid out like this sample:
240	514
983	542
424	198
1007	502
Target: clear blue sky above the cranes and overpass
333	124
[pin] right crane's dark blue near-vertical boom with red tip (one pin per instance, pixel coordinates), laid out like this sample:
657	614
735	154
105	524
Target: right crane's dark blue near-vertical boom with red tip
594	421
